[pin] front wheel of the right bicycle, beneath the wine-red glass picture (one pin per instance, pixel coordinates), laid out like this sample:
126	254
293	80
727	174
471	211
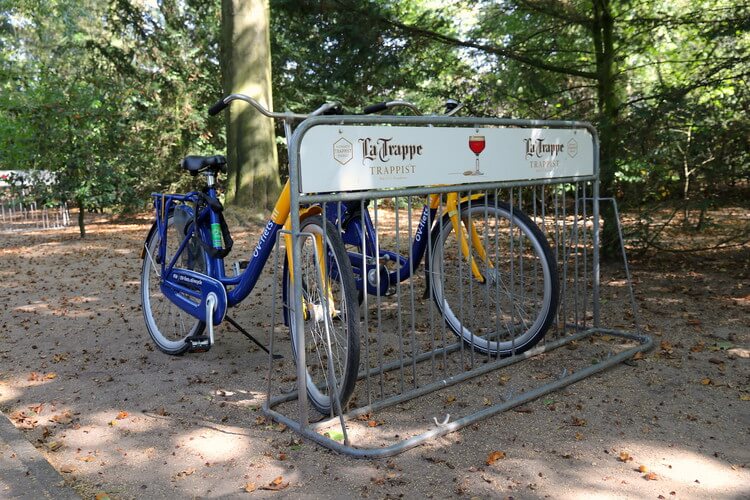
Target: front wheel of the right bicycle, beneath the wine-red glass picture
504	298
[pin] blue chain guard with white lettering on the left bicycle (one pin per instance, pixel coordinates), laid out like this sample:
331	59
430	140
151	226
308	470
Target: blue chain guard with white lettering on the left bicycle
189	291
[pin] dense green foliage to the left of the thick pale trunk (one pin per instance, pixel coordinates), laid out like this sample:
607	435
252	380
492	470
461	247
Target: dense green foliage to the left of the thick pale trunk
106	97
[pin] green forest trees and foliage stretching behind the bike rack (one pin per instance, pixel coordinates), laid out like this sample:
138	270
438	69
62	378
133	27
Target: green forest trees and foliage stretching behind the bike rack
111	95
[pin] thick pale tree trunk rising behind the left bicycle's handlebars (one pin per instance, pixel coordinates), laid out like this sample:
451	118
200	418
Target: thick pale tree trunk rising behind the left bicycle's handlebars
253	178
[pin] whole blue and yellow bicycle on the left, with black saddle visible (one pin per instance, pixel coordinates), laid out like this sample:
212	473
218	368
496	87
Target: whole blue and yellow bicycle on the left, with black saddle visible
185	288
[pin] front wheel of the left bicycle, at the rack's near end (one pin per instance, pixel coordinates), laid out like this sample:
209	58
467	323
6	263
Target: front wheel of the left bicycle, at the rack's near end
330	315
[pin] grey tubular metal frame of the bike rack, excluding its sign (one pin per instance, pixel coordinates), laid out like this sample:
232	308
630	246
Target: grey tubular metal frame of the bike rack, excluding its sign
302	424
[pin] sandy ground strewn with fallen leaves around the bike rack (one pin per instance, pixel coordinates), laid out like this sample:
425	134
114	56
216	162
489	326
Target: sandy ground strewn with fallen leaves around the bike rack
80	377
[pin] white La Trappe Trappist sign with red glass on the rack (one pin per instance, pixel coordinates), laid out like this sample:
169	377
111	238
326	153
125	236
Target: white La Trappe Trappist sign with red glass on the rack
336	158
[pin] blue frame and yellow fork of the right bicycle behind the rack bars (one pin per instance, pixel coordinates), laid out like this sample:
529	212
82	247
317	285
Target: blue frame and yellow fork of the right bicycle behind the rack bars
360	232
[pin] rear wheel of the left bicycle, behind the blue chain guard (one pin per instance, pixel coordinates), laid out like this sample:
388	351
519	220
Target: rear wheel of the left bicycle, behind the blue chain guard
167	324
